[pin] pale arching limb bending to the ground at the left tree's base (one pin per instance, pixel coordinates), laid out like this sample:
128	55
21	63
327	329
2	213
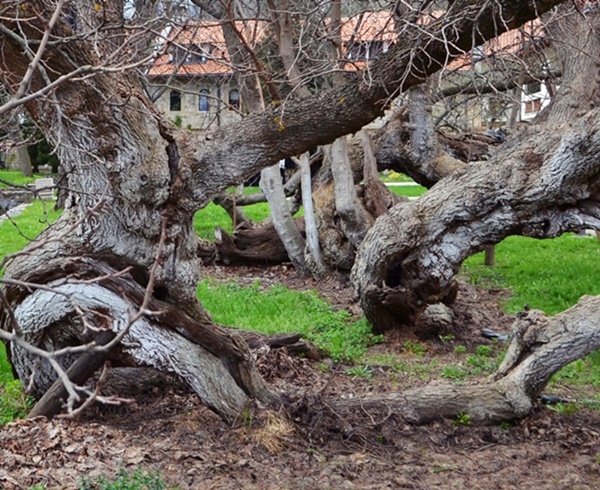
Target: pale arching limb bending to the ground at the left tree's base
212	361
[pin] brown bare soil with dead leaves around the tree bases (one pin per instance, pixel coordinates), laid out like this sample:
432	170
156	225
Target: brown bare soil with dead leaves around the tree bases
310	446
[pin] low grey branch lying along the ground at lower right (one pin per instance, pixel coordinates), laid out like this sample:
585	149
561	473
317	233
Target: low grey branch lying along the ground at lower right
540	347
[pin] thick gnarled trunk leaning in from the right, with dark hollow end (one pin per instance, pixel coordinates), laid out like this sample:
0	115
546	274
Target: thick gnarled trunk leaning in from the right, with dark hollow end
541	185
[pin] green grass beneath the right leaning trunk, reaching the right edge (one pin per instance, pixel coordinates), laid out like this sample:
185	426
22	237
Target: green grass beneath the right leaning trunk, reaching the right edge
550	275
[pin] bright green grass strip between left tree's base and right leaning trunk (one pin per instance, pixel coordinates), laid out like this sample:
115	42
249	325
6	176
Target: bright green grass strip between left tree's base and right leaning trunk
280	310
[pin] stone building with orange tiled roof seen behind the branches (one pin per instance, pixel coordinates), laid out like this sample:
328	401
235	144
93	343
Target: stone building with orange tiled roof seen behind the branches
193	80
